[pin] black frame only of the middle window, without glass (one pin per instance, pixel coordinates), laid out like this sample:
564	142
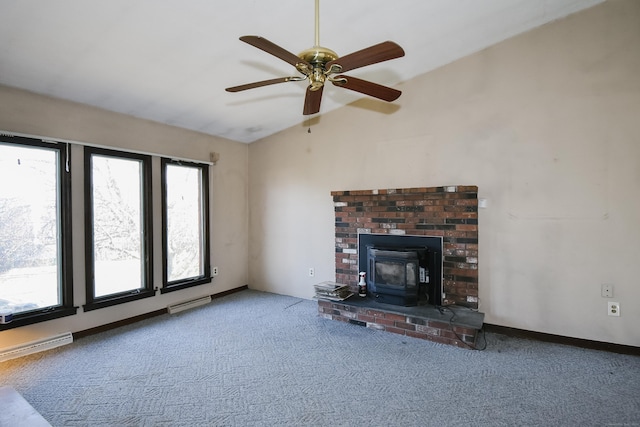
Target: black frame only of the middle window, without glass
93	302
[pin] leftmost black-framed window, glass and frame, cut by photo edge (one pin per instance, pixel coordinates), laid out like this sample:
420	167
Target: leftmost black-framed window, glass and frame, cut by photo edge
35	232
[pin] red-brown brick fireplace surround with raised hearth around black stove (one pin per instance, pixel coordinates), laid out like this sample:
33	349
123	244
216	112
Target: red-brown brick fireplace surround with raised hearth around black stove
449	212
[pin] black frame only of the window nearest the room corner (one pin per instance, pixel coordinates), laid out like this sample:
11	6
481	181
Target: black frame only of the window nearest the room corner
204	194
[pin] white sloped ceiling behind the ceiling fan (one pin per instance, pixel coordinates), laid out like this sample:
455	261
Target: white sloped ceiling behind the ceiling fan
170	60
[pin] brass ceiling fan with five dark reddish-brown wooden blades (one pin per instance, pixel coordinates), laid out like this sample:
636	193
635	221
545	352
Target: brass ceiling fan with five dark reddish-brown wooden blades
320	65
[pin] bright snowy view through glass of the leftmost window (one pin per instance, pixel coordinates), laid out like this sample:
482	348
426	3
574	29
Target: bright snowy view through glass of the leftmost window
29	228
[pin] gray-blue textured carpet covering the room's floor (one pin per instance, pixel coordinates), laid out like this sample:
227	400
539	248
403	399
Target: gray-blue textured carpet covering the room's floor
259	359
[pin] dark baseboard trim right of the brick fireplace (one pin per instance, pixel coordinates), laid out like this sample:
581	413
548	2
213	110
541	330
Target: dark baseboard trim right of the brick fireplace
559	339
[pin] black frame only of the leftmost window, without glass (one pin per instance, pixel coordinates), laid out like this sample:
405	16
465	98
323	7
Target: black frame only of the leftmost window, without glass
65	261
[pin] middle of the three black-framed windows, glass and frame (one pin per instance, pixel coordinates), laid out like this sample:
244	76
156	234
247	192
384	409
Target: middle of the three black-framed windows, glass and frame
118	227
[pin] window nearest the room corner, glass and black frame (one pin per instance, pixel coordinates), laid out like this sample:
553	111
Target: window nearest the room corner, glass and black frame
185	208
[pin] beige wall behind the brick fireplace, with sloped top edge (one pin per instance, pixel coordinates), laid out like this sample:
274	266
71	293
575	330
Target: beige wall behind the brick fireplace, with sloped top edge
546	124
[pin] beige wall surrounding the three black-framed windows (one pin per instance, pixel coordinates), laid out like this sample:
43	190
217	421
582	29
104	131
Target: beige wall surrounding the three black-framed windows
31	114
